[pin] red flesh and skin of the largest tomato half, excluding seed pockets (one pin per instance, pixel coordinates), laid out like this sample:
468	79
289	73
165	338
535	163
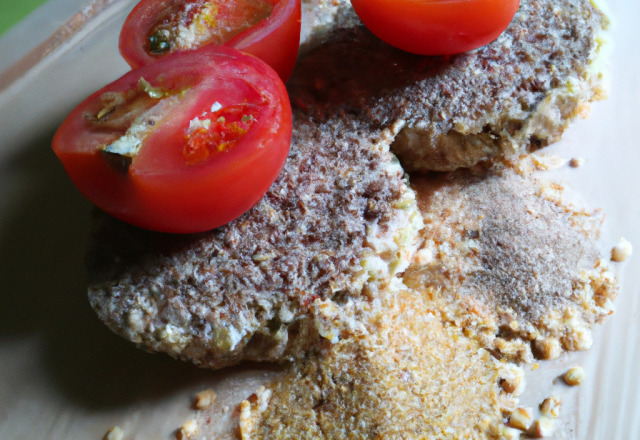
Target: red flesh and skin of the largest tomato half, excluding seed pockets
160	190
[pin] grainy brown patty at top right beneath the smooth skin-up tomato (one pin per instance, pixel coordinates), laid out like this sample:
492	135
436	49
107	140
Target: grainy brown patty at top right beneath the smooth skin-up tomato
516	94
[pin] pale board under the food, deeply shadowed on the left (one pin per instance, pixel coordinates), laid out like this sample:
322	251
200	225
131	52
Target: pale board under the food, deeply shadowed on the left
63	375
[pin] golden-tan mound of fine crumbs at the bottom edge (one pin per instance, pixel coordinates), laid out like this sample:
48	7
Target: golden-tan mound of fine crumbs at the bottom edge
397	372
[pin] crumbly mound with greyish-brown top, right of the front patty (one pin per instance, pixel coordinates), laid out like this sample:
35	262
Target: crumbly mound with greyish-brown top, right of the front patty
508	259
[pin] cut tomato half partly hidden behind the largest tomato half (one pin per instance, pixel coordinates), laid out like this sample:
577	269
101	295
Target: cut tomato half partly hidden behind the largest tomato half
268	29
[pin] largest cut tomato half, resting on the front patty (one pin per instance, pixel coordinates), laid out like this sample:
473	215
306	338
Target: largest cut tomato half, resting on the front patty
186	144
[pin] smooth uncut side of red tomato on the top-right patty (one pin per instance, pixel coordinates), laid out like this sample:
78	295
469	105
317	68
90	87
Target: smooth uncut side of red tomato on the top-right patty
436	27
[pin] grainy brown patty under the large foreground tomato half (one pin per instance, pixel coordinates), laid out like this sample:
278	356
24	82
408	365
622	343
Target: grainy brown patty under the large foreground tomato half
338	221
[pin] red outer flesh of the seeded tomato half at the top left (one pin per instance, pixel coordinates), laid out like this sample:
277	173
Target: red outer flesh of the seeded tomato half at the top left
274	40
